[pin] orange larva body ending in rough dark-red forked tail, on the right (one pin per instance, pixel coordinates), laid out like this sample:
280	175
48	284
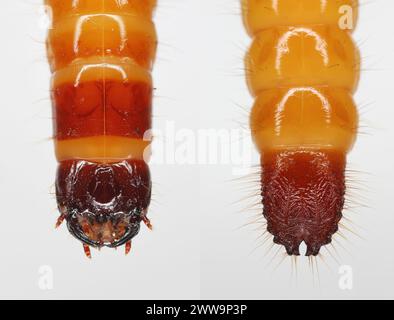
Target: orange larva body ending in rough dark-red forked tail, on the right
302	69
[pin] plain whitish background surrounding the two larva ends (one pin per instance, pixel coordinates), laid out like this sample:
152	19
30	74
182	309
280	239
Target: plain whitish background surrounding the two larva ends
199	248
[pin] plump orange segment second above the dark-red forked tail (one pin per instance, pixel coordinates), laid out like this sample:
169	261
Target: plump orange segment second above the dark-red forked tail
302	55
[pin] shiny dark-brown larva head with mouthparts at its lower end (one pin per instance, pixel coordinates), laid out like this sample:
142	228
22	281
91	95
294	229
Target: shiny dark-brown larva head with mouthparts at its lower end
103	203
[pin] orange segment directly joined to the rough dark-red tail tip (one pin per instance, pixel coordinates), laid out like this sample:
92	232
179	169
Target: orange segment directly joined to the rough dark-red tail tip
310	117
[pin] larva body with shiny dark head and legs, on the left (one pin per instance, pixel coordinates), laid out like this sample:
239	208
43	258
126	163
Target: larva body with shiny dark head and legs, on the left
101	54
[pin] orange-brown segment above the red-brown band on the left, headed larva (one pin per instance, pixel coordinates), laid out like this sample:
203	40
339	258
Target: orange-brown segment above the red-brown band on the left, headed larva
102	34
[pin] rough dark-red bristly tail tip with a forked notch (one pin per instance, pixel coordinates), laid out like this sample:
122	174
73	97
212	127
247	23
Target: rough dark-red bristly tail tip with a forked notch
303	196
